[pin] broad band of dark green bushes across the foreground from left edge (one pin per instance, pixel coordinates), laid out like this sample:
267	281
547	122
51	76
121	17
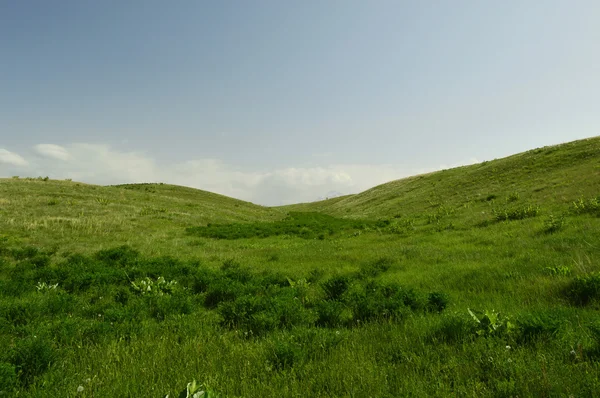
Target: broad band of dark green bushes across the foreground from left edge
116	293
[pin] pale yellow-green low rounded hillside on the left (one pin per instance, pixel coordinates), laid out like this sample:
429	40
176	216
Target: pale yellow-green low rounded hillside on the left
80	216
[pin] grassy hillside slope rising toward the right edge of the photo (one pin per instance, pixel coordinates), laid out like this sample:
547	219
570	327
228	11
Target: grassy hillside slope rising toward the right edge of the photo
549	176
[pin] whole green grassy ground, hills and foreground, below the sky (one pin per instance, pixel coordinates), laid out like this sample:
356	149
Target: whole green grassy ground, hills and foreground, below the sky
477	281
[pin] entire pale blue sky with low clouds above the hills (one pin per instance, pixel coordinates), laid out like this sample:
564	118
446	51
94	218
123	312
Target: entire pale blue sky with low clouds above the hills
280	102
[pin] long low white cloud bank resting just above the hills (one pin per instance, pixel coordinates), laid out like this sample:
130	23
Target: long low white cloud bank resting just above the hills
101	164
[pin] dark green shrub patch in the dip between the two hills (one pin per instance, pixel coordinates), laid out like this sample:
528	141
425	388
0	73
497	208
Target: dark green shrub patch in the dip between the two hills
303	225
